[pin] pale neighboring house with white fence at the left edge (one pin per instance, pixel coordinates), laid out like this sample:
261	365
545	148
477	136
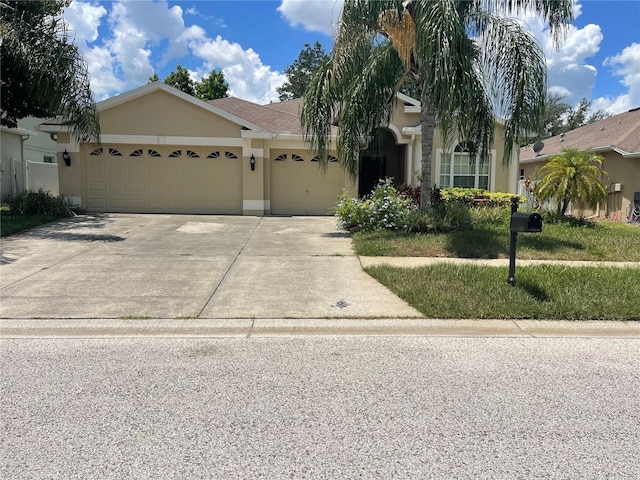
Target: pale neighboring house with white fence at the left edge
26	160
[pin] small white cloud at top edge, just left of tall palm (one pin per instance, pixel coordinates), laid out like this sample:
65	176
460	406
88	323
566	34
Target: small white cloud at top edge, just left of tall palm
314	15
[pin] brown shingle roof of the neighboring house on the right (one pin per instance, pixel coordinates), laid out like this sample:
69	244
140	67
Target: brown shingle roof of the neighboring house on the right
619	132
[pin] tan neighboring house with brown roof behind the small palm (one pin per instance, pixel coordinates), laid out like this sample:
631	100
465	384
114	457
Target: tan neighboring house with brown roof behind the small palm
617	140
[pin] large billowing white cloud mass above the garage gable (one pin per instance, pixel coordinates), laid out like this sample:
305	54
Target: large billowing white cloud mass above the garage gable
144	36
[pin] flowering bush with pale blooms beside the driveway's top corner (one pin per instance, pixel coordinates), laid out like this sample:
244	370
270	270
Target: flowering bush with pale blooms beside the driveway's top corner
384	208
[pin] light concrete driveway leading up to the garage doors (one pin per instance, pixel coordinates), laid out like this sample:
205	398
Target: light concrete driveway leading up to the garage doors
186	266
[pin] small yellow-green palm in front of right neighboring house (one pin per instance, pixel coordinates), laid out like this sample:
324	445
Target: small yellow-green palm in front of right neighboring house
572	176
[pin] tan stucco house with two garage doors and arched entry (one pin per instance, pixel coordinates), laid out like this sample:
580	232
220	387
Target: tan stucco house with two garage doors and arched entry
165	151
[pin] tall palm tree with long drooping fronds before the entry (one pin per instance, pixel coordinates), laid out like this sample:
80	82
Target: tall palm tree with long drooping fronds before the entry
468	60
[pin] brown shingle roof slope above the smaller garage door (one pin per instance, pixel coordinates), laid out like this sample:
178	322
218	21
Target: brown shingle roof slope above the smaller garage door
277	117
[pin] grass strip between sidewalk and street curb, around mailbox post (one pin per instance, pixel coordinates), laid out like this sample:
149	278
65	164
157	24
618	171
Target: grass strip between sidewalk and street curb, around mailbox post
542	291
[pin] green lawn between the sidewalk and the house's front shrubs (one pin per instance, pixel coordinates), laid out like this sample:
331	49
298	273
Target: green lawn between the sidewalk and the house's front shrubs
606	241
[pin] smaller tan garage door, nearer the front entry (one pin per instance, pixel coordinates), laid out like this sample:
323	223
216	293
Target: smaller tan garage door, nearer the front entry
300	187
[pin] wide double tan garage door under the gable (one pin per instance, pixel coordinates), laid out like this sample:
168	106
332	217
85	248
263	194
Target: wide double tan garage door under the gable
149	179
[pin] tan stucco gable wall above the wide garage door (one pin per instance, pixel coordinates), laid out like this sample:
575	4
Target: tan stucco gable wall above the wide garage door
160	113
